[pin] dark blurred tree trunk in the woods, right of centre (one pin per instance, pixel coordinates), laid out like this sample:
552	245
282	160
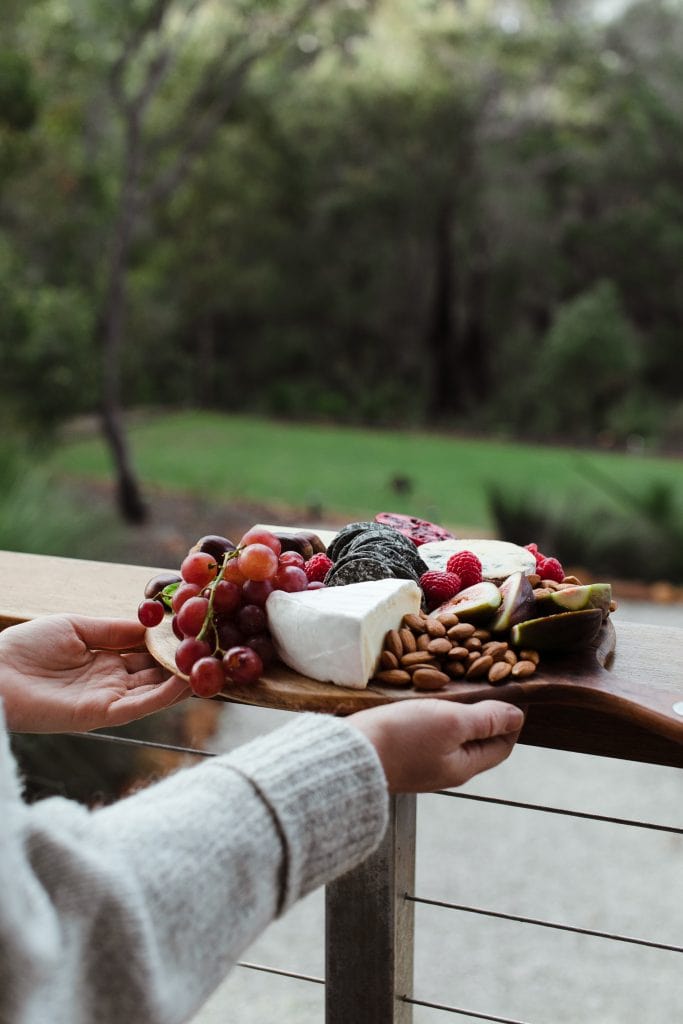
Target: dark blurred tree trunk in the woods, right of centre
443	398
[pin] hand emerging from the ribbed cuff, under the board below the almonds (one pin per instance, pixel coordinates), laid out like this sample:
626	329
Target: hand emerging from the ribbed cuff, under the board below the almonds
430	745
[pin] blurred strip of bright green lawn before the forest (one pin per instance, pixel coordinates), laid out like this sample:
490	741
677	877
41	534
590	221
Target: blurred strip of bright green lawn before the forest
350	472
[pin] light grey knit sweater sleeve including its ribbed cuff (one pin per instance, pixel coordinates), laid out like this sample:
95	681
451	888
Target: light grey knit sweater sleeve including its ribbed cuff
137	912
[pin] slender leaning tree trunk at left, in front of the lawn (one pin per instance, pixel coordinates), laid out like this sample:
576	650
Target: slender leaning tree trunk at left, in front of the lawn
112	325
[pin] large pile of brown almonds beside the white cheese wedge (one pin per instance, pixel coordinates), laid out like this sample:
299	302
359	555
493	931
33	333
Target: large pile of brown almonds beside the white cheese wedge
429	652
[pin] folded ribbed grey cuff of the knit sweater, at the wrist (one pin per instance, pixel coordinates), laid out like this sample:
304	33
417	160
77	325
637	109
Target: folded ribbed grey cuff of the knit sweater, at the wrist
326	788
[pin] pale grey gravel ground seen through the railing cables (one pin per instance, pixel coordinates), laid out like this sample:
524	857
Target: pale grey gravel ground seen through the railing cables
590	875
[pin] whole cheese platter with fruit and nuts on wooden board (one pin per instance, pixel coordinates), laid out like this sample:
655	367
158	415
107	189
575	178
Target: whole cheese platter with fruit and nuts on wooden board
383	624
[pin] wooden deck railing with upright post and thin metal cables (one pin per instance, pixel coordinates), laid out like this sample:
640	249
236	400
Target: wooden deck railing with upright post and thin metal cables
370	912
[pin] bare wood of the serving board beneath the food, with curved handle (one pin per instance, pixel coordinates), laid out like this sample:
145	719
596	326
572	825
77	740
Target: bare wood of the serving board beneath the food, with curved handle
644	691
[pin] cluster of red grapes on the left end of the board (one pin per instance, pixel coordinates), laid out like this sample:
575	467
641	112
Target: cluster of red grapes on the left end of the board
219	608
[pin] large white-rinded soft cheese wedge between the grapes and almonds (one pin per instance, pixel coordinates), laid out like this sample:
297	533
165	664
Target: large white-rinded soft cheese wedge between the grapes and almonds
336	634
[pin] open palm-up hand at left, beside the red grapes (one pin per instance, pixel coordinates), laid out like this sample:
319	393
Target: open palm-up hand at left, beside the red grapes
74	673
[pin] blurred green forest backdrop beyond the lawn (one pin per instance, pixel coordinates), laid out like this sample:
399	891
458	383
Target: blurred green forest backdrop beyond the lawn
408	214
